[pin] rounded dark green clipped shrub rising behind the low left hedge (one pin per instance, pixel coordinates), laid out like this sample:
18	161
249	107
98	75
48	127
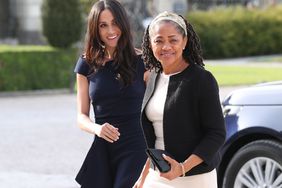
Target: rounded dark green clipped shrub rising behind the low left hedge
62	22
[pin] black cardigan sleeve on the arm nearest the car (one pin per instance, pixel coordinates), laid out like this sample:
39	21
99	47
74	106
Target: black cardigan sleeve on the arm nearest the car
211	118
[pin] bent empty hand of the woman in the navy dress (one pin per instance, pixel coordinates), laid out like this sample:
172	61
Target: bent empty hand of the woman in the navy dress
107	132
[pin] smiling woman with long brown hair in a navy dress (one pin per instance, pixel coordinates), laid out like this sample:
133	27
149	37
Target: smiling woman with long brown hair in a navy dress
110	76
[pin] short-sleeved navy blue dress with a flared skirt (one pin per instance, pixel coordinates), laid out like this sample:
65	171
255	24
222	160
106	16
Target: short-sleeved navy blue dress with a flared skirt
118	164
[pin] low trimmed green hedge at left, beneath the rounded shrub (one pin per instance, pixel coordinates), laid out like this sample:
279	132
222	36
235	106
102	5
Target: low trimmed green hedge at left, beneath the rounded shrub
24	68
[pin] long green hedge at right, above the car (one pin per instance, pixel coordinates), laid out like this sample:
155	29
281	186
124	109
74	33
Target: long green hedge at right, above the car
236	32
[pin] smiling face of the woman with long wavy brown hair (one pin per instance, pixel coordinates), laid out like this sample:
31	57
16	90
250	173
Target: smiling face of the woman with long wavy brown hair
108	30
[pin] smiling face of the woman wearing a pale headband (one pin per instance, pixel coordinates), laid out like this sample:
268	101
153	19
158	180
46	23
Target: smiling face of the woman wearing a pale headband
167	44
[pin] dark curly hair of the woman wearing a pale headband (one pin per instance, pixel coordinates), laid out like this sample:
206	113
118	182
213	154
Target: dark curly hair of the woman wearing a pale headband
192	52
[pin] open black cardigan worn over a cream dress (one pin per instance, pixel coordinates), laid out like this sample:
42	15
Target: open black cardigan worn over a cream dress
193	121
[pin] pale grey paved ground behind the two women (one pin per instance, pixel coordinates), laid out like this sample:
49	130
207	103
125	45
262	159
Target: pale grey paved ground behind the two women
40	144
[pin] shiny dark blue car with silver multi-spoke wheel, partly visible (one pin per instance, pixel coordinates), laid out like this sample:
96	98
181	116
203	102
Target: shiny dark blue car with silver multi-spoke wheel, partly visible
252	153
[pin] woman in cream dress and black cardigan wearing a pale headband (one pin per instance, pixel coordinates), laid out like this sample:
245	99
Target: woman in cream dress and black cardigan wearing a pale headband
181	111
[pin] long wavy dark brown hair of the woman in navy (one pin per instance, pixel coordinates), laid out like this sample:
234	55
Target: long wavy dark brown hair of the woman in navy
94	47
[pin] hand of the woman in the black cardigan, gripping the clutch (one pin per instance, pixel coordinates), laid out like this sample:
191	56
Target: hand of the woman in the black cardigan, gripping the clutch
175	170
